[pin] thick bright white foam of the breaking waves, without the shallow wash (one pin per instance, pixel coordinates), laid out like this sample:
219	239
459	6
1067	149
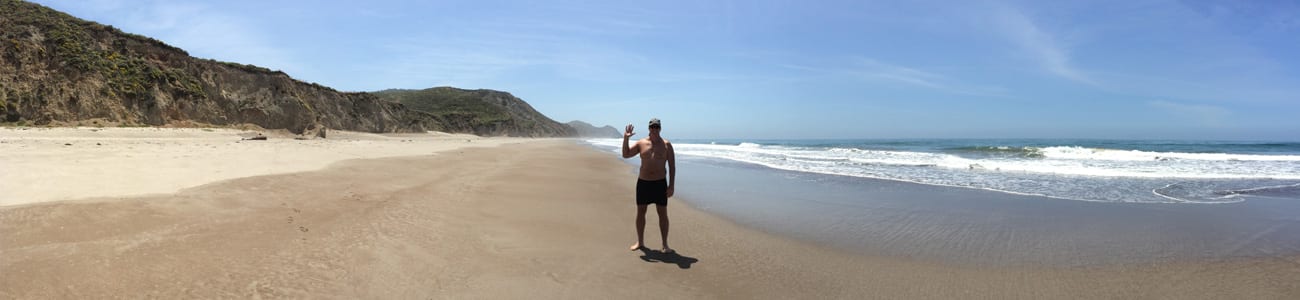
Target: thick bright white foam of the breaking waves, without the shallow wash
1056	160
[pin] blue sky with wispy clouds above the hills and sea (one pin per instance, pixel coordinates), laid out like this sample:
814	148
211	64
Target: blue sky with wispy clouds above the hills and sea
1132	69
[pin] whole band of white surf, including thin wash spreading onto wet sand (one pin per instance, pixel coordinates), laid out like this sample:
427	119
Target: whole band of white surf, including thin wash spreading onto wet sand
1060	172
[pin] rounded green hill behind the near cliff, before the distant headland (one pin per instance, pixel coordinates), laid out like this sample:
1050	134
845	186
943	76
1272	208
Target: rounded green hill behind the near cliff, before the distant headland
483	112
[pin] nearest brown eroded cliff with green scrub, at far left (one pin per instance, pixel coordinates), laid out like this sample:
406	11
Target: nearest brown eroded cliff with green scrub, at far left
58	69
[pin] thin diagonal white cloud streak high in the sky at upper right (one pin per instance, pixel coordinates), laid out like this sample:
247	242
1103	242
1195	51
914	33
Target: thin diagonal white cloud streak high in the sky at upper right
1038	44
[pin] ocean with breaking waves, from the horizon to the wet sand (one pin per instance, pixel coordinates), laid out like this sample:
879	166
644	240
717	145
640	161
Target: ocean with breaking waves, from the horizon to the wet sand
1202	172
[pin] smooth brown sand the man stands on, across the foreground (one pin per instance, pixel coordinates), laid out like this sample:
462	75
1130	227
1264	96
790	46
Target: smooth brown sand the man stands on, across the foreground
545	219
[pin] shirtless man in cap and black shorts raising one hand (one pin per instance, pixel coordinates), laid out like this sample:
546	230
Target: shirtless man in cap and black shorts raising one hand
655	184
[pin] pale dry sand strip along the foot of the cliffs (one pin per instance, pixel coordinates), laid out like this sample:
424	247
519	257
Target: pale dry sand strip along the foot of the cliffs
60	164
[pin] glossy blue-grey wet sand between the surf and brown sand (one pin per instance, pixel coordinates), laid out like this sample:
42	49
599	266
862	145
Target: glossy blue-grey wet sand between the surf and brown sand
982	228
